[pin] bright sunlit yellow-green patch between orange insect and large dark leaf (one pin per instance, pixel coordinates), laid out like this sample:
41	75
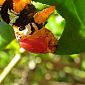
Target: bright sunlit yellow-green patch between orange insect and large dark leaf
55	24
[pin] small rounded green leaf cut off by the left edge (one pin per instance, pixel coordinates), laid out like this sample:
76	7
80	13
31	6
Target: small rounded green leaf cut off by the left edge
6	35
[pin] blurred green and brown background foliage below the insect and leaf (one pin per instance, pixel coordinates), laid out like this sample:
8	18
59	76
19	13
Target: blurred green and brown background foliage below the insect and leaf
44	68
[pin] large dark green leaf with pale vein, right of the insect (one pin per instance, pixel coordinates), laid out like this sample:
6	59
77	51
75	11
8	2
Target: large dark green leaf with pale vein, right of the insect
72	40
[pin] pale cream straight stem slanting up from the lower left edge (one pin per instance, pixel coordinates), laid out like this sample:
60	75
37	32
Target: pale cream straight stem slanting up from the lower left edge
9	67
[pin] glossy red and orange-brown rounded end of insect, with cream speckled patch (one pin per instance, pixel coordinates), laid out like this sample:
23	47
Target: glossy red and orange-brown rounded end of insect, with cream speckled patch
41	41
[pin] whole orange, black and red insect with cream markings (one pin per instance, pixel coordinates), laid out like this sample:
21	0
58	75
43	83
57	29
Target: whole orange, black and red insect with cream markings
30	28
